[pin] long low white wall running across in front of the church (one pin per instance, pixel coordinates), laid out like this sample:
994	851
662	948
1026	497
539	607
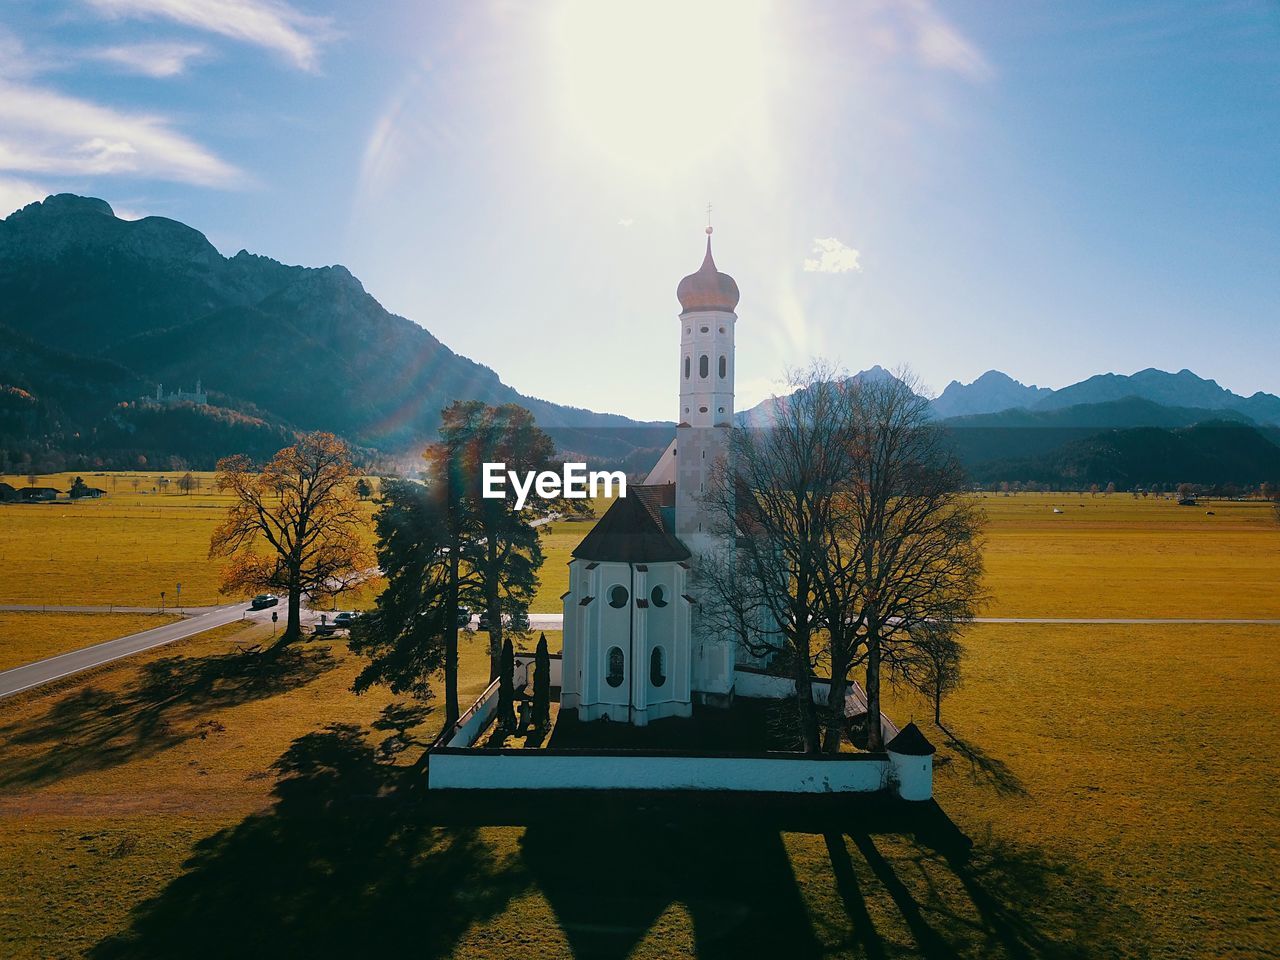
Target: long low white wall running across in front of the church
545	770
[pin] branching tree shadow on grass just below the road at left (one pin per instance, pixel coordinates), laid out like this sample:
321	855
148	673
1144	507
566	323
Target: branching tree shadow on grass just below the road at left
170	702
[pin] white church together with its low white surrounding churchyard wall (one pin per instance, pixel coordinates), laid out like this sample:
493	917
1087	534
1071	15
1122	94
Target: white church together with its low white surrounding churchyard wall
652	693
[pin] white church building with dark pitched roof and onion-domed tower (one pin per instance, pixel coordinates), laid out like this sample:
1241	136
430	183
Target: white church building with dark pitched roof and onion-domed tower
636	647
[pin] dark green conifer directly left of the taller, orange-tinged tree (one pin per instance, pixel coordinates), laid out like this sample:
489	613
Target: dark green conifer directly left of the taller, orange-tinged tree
406	636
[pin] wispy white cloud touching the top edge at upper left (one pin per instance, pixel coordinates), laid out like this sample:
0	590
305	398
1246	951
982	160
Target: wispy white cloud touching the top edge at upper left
268	24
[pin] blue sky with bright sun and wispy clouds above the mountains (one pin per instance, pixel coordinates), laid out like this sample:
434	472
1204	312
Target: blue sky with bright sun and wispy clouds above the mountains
1050	190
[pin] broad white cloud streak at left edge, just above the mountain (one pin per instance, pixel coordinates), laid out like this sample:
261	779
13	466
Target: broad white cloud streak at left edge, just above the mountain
45	132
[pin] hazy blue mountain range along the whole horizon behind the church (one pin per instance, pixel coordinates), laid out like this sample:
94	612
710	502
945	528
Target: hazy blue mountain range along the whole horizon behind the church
97	313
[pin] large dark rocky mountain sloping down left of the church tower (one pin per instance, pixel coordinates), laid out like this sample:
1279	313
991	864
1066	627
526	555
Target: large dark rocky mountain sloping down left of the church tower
291	348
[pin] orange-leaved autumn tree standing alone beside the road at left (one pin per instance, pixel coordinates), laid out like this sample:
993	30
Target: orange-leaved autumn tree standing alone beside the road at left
303	510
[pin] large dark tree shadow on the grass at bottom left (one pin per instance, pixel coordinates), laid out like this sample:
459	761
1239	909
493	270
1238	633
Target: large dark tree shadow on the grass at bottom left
346	863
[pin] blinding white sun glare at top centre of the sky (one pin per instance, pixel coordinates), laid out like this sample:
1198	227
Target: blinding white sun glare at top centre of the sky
660	84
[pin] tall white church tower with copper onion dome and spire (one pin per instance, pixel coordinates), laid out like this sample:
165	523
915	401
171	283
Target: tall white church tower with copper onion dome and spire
708	300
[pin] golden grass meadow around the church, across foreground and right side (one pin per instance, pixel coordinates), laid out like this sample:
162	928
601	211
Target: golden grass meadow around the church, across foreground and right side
1109	789
